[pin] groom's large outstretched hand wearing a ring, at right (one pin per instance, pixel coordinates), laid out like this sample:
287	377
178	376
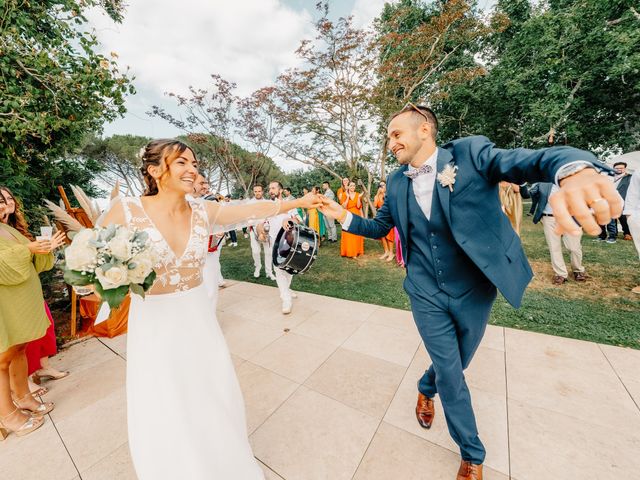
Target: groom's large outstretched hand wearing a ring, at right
590	198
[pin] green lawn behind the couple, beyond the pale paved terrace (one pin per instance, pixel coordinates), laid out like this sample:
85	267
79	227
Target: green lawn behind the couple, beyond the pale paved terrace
601	310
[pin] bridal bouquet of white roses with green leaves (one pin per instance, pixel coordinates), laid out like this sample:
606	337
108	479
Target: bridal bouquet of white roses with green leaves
113	260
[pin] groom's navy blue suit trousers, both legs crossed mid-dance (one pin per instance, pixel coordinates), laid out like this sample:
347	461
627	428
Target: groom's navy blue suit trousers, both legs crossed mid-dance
451	329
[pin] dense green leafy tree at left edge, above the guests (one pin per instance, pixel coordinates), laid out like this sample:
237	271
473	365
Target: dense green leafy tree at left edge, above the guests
54	89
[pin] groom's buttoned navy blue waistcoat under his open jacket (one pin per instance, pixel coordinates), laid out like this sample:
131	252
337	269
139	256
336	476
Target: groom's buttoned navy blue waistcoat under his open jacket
435	261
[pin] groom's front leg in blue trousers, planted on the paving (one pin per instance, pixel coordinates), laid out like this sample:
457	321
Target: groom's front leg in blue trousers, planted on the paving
439	332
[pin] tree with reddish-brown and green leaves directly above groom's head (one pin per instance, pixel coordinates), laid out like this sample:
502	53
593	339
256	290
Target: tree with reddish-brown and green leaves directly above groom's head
428	50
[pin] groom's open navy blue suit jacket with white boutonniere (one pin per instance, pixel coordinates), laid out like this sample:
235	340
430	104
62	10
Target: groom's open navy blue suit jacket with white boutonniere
473	209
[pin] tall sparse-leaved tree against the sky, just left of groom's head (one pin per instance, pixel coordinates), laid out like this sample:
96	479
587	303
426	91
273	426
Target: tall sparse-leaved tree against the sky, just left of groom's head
323	107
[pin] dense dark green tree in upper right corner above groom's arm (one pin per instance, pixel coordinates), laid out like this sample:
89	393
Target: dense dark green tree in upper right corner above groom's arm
562	72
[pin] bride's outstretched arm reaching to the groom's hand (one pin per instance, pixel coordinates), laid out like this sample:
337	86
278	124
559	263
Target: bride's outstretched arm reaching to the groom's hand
224	217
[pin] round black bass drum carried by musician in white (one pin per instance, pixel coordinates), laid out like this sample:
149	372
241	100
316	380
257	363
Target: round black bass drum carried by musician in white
295	250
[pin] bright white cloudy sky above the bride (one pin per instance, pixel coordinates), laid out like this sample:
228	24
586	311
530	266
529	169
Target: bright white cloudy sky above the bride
170	45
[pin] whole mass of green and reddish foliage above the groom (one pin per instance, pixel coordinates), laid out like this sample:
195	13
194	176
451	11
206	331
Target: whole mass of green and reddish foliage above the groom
556	72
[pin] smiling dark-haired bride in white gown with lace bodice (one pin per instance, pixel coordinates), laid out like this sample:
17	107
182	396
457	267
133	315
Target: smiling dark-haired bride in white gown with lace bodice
185	410
